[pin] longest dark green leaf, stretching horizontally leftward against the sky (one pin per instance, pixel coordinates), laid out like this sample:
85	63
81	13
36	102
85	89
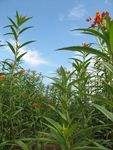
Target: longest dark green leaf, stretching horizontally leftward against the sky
86	49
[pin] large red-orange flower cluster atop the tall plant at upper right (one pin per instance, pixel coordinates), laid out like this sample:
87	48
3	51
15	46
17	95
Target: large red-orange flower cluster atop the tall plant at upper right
99	19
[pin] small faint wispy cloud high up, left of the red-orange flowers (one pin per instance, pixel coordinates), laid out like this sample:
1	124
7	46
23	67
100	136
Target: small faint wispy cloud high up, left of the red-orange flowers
77	12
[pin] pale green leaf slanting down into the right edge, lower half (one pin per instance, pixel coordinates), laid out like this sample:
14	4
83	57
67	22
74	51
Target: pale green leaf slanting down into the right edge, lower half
107	113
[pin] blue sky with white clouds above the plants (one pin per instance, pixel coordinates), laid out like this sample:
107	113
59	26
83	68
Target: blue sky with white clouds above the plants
52	23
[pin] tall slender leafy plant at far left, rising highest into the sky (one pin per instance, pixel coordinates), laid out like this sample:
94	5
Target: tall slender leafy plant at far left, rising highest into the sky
11	73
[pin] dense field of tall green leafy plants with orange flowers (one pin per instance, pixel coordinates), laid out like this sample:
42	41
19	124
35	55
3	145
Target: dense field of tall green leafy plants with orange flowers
74	111
